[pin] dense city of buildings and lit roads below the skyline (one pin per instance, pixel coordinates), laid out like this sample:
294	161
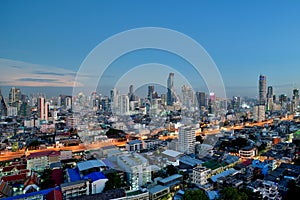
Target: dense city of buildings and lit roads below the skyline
189	146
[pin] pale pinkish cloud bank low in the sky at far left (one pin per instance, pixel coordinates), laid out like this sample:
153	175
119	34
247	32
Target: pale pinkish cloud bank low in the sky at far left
18	73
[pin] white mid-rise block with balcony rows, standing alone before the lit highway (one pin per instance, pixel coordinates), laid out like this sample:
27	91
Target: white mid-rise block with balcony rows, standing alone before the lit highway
186	139
